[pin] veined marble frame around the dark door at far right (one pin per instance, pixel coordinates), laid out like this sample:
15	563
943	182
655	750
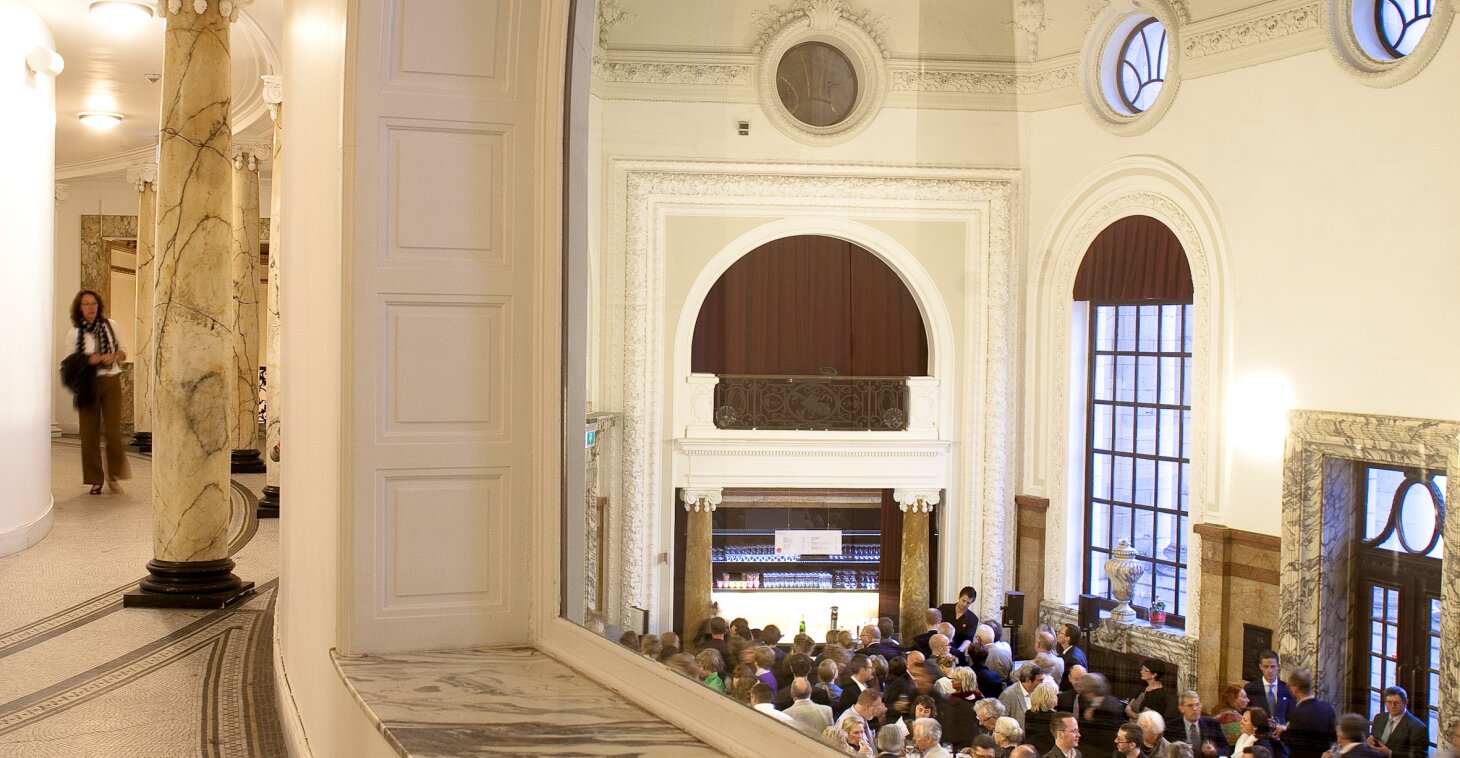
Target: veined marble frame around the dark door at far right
1319	499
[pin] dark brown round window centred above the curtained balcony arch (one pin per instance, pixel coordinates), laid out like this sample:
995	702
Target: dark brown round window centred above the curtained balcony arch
817	84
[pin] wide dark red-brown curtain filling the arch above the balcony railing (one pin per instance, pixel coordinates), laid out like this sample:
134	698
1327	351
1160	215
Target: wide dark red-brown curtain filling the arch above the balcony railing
811	306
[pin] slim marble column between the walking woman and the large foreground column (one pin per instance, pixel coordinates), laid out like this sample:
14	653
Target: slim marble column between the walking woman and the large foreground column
145	177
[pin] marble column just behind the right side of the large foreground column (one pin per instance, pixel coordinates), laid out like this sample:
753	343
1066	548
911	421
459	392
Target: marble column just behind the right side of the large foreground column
243	421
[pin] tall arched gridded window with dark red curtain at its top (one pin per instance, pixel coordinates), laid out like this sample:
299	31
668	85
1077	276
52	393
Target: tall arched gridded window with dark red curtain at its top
1138	388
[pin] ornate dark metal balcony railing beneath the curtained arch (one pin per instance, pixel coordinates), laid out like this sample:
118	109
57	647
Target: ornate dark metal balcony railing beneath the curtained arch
811	402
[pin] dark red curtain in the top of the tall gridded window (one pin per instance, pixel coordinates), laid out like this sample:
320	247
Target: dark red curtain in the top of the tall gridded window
1135	259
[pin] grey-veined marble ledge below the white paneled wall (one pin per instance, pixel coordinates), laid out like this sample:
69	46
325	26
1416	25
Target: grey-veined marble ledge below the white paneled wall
503	702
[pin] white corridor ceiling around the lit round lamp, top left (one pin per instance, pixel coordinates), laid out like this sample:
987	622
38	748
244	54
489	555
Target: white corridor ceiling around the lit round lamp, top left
107	68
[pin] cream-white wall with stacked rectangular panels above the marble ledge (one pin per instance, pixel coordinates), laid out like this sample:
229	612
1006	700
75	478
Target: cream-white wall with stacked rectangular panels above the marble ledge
443	271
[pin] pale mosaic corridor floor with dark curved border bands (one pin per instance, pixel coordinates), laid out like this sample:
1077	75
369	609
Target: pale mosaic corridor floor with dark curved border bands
82	677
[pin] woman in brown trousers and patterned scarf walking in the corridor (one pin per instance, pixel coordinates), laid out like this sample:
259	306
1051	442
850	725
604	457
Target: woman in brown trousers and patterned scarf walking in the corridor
96	337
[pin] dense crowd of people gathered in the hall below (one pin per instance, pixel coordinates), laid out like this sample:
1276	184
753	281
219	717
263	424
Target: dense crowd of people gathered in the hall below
957	687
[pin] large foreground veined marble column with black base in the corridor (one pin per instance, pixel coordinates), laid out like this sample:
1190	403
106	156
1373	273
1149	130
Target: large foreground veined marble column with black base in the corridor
193	286
